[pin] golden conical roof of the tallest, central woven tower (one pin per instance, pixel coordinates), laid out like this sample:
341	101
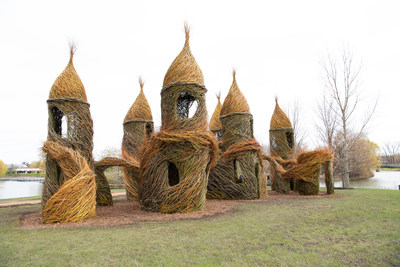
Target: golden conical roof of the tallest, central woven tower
184	67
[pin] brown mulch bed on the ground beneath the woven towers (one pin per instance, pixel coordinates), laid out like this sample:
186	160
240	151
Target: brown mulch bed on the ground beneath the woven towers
128	212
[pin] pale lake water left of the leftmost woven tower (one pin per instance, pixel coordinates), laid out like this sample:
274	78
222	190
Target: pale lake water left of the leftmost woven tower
14	189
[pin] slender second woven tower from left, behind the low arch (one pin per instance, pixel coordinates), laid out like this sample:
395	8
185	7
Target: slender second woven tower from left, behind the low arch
138	127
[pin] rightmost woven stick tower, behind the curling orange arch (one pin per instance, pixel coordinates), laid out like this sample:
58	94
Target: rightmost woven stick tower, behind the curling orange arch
281	138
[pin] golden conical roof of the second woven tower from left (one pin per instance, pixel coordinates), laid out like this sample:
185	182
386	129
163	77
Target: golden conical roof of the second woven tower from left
140	109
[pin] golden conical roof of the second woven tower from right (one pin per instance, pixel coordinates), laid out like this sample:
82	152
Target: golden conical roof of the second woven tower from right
235	100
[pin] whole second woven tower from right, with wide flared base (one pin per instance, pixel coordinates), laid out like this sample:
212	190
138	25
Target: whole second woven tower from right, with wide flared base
239	173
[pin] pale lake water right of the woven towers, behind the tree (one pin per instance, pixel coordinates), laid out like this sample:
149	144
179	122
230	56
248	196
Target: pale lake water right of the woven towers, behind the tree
381	180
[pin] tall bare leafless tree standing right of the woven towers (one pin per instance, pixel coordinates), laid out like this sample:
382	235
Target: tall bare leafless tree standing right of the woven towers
341	78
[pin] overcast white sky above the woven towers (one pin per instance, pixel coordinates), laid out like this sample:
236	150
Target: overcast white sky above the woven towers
275	46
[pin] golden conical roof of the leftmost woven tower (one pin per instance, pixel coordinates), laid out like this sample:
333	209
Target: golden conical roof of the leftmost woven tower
68	84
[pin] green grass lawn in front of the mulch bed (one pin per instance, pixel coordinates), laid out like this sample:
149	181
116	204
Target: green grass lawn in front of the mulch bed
362	228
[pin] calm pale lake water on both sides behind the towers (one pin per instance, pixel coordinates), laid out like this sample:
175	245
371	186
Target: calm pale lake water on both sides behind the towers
382	180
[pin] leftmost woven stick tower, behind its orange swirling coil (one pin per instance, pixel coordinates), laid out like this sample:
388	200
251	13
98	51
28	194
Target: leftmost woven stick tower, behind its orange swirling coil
70	125
